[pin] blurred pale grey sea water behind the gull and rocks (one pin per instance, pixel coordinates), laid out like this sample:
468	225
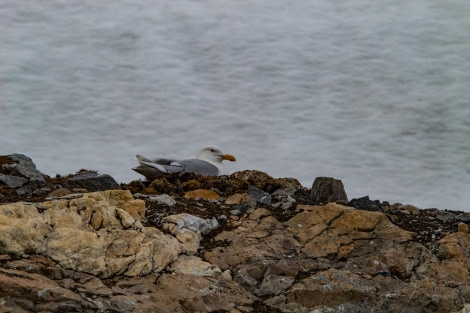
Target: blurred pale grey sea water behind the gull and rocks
374	94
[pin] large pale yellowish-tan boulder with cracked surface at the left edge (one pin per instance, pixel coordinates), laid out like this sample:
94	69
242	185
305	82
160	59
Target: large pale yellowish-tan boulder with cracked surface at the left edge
87	235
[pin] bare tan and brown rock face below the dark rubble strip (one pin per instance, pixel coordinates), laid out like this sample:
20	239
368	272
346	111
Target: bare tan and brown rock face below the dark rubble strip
93	253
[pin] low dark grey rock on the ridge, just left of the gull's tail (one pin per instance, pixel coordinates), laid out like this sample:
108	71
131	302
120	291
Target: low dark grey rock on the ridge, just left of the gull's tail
92	181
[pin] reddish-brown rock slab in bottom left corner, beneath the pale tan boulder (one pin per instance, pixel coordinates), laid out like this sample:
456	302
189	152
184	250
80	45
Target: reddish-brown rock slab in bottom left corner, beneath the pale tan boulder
26	288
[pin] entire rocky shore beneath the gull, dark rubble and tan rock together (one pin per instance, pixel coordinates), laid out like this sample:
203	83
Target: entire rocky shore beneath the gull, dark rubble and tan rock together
240	243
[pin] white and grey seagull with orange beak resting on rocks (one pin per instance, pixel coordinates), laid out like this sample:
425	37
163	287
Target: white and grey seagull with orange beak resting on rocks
208	162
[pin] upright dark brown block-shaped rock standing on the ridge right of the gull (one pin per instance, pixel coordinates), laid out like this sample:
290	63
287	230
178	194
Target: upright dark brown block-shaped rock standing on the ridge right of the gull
327	189
